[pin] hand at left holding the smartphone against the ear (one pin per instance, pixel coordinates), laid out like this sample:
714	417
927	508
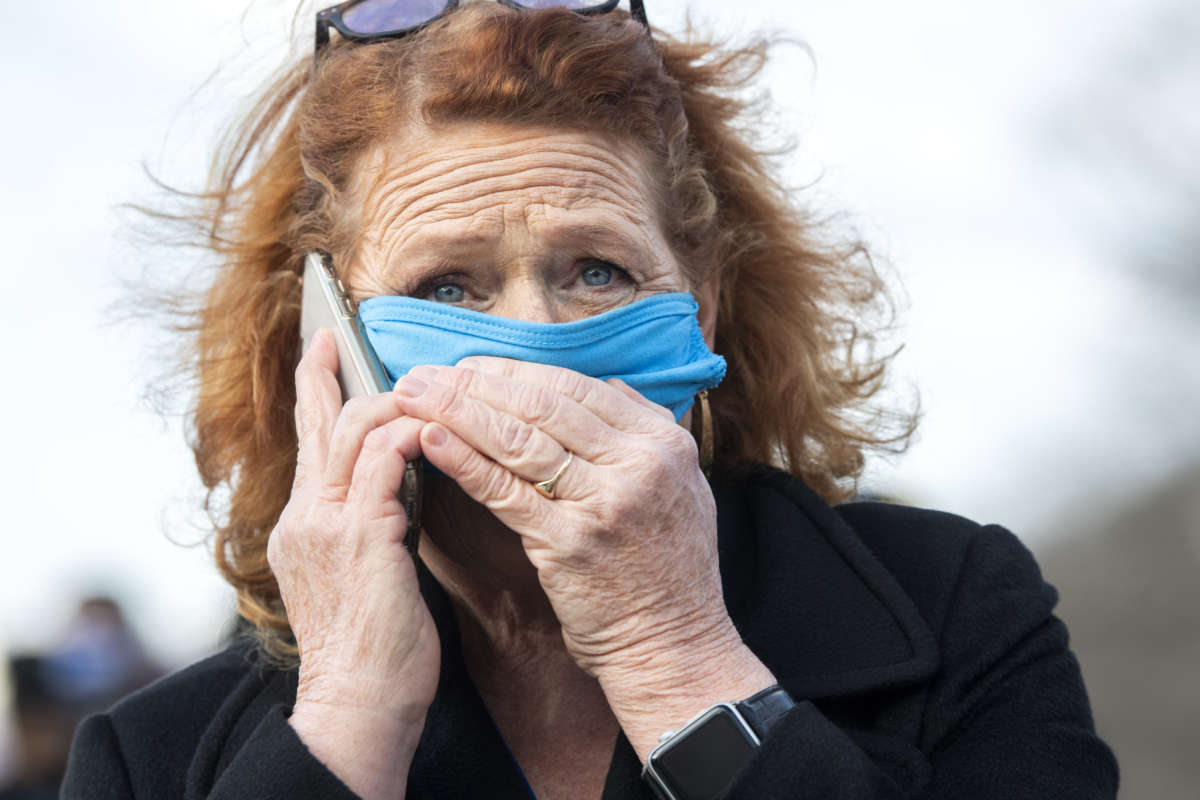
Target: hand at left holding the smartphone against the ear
369	649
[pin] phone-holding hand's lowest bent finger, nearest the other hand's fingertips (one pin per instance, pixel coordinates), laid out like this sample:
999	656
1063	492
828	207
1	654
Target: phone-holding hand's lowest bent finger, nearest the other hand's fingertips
380	468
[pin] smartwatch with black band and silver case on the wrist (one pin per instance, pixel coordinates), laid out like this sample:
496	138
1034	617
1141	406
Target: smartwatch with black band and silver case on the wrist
701	760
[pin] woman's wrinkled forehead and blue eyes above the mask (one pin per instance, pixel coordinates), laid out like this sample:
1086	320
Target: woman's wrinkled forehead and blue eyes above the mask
537	225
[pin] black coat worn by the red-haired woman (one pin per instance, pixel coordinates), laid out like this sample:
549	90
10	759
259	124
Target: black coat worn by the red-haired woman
921	648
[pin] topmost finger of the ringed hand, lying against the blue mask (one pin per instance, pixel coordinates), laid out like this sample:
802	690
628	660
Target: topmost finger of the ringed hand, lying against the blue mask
607	402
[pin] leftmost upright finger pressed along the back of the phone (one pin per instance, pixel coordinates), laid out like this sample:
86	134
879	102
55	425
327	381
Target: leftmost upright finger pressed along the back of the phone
319	402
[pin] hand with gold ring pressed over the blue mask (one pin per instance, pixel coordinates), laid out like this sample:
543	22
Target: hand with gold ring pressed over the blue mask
627	552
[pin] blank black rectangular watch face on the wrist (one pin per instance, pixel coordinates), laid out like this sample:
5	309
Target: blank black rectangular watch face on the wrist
701	761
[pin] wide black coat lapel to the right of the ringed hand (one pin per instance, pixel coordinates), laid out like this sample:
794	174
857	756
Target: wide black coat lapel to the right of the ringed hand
809	598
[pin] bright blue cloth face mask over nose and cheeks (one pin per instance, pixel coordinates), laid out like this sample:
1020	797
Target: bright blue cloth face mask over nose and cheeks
655	345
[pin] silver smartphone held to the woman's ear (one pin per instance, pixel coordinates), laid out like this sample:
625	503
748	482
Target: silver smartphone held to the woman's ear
327	304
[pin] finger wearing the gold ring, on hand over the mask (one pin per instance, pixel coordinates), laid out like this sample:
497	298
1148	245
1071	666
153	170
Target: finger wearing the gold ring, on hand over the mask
515	444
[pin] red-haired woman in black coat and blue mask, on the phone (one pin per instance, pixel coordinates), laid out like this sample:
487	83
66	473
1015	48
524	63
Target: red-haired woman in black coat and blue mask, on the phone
583	588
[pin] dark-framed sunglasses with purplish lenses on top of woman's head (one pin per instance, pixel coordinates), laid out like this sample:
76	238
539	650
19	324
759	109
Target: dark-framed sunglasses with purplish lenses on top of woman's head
373	20
